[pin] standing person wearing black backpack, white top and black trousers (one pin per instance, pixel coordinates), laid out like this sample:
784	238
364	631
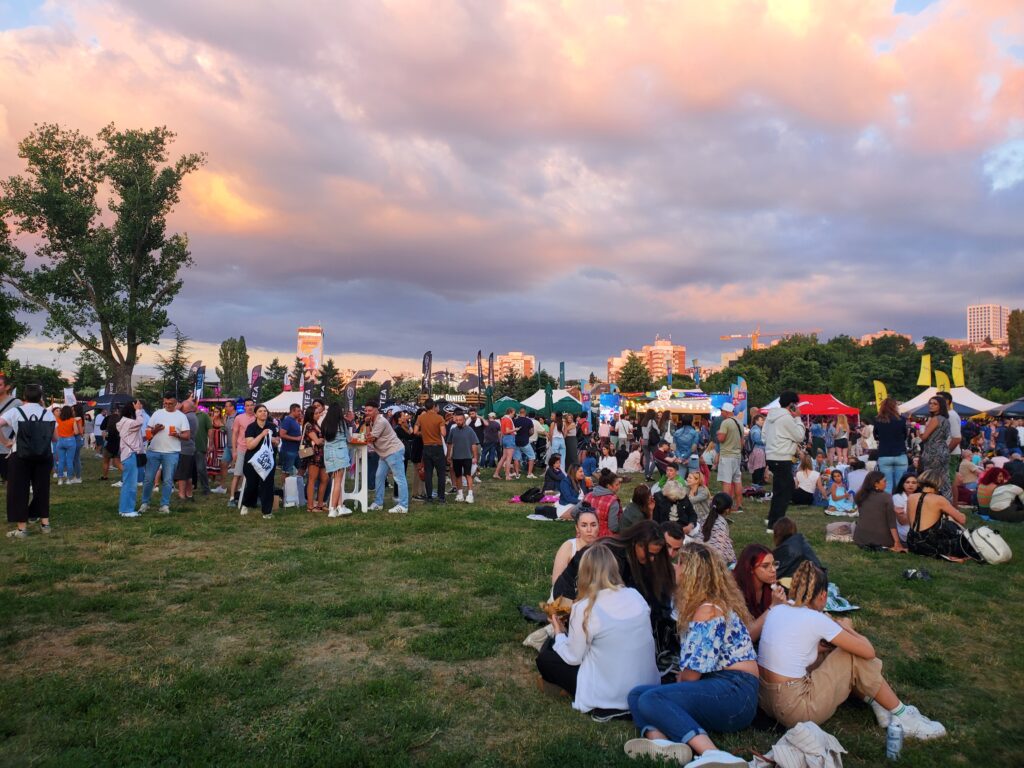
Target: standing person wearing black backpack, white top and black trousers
34	433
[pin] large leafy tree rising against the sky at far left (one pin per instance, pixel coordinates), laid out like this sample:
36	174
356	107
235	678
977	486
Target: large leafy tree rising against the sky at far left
106	275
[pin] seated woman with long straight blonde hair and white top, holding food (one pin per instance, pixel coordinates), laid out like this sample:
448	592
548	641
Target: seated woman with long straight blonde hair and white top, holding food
608	649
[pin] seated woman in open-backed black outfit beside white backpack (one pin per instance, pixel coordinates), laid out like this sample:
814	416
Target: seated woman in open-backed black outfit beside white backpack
934	530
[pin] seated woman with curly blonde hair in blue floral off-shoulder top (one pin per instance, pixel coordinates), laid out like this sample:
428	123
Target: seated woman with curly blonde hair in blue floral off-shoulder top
717	687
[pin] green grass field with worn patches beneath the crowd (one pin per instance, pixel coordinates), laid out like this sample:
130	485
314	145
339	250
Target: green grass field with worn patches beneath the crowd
206	638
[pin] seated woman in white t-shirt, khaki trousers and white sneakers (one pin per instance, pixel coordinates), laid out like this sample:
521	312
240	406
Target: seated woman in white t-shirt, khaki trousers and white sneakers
796	687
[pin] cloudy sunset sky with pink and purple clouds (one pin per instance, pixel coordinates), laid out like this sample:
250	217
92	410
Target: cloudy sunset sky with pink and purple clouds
565	179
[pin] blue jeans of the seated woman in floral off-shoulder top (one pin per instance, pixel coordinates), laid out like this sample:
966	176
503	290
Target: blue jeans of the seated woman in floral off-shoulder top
722	702
